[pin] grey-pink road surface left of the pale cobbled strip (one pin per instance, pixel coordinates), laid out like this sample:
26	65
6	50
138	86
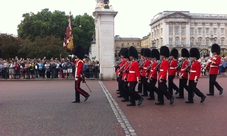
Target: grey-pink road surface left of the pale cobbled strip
44	108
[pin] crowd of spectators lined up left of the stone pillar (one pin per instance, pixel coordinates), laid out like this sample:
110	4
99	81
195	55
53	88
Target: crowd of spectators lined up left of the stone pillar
45	68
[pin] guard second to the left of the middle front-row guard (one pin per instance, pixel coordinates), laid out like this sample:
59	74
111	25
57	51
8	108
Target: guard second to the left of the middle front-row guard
147	63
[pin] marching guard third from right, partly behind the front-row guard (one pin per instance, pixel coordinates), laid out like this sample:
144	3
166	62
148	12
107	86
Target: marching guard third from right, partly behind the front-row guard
183	76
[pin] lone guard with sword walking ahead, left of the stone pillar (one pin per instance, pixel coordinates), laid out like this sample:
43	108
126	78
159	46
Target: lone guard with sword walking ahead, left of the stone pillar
79	74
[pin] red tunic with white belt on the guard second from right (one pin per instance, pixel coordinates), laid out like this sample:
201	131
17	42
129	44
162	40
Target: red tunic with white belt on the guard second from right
195	70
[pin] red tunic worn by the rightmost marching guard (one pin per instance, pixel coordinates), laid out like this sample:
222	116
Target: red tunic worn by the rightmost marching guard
214	65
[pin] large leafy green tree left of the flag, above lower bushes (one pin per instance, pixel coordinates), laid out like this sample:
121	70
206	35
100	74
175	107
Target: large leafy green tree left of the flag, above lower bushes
42	24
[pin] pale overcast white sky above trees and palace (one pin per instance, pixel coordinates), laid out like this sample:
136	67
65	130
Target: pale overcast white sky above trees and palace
133	16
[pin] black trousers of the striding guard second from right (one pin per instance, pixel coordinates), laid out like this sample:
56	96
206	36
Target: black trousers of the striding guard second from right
192	89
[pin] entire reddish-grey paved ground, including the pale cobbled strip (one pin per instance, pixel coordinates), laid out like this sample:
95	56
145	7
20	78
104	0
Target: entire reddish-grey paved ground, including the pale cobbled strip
43	107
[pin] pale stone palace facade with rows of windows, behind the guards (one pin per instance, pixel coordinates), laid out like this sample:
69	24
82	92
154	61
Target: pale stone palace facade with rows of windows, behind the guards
182	29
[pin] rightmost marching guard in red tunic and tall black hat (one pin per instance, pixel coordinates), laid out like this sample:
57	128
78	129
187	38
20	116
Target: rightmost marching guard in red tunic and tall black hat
213	64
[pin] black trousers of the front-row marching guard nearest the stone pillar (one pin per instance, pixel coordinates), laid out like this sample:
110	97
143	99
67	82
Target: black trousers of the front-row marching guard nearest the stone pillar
133	94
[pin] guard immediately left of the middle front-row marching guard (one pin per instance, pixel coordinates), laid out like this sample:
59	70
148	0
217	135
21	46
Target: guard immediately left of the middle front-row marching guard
152	76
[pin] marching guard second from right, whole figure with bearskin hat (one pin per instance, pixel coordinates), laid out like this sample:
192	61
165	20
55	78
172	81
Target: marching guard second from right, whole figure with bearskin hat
195	71
